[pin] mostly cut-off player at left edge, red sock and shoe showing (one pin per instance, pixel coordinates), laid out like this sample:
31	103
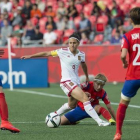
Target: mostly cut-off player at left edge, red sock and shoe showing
5	124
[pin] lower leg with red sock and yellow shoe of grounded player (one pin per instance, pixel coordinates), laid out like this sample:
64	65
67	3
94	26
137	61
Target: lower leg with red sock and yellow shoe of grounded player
105	113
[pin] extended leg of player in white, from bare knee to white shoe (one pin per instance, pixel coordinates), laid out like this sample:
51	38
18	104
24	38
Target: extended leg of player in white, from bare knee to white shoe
79	95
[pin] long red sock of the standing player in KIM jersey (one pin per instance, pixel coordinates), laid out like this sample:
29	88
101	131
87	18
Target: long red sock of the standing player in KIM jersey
120	117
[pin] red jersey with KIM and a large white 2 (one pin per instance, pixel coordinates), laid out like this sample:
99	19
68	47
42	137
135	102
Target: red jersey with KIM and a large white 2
131	41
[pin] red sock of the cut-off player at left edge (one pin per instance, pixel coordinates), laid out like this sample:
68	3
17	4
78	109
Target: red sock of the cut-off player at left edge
3	107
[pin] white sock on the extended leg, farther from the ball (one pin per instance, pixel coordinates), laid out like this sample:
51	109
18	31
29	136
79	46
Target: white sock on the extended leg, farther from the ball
91	112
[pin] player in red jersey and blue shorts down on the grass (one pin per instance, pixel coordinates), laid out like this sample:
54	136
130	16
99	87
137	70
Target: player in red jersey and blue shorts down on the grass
94	91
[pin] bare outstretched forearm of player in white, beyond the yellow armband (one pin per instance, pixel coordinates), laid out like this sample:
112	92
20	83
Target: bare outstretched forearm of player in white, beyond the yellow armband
41	54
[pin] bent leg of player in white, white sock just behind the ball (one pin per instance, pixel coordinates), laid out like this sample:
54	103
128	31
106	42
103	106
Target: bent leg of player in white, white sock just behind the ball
67	106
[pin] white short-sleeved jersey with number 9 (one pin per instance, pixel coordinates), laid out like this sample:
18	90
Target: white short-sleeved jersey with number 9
70	64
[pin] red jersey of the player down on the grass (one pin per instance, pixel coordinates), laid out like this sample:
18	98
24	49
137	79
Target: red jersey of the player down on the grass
89	87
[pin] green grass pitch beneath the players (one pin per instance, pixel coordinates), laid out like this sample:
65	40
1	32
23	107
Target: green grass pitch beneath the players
29	107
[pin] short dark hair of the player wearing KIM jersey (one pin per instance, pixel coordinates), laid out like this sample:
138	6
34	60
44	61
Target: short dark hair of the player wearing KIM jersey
135	15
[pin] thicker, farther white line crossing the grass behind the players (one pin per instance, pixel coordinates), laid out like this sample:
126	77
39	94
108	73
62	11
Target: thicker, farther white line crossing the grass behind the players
59	96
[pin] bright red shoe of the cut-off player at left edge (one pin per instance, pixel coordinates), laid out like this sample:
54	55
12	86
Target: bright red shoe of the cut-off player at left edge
5	125
